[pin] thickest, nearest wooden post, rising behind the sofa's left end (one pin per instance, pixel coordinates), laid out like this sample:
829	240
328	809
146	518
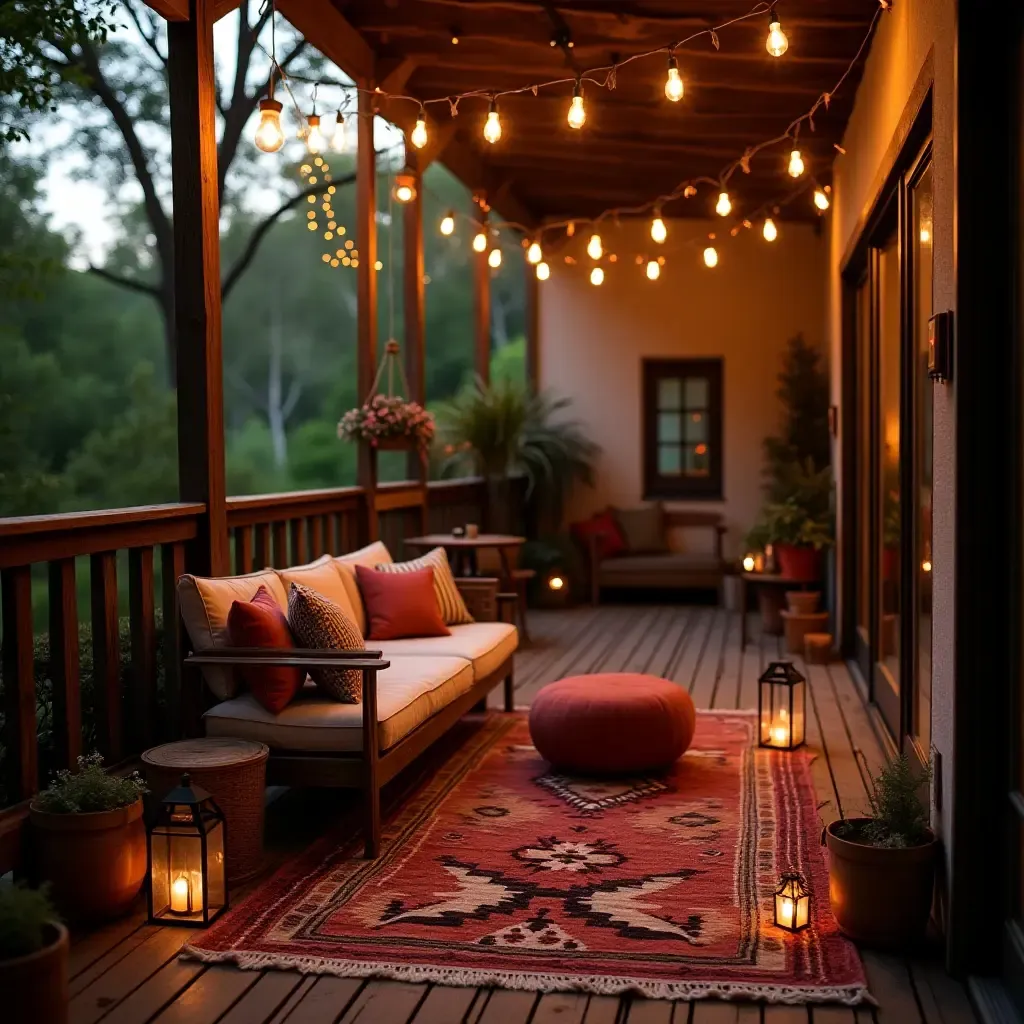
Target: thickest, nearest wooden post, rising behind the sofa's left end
197	281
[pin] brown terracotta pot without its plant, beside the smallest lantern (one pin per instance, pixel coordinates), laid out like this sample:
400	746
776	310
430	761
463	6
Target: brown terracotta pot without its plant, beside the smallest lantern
880	898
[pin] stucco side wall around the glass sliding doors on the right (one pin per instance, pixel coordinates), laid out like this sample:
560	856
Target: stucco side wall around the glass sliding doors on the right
906	38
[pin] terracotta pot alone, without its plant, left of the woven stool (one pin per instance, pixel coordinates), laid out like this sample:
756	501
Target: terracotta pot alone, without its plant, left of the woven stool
96	863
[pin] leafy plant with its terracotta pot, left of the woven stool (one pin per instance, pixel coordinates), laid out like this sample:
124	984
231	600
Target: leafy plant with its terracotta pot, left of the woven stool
90	840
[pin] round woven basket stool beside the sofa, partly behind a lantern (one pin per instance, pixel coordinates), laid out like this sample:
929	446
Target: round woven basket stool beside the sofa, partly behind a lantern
234	773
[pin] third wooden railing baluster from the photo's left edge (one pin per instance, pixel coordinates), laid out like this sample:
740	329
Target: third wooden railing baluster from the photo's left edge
106	653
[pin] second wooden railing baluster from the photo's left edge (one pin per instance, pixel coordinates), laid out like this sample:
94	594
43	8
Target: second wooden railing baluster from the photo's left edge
65	662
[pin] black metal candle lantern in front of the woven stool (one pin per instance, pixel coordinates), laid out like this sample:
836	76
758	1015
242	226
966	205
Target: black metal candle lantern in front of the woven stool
188	869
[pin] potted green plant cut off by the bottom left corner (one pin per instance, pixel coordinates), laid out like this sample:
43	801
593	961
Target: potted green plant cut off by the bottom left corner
33	958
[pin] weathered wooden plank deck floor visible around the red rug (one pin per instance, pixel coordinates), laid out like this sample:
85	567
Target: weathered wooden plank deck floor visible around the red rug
130	973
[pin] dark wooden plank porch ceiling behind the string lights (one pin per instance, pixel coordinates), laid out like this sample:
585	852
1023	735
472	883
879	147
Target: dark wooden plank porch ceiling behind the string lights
635	145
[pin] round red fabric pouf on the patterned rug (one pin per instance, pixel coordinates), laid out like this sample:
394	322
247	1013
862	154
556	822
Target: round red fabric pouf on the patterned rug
613	723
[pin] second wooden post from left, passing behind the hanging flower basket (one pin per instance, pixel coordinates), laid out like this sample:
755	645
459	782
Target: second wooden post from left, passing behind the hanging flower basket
366	236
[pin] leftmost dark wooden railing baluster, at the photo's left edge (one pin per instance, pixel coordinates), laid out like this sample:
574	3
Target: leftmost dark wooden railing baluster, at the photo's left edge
20	685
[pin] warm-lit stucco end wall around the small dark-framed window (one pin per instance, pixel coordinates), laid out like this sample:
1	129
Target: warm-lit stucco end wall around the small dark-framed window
592	342
